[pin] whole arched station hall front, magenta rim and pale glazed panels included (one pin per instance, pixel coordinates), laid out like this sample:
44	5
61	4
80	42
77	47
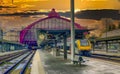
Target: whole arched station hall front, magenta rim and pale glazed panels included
52	24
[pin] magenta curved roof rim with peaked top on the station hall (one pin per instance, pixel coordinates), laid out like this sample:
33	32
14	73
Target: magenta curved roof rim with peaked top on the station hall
52	14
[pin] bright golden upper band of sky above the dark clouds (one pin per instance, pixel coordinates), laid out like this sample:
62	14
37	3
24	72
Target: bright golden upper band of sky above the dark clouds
61	5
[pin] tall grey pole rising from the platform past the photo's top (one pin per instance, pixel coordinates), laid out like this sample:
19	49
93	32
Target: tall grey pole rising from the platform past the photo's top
72	32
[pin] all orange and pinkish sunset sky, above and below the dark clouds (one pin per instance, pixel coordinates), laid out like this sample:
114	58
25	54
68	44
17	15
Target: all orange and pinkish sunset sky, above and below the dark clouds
23	6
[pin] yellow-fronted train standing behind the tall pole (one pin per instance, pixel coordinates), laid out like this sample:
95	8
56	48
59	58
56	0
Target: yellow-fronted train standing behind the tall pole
82	46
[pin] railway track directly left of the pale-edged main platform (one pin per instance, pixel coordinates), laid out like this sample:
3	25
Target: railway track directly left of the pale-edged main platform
20	66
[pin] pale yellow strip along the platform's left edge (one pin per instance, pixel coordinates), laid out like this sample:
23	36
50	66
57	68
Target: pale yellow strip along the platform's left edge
37	67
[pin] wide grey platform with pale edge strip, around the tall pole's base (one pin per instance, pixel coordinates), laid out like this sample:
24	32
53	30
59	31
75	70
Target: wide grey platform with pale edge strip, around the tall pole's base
45	63
